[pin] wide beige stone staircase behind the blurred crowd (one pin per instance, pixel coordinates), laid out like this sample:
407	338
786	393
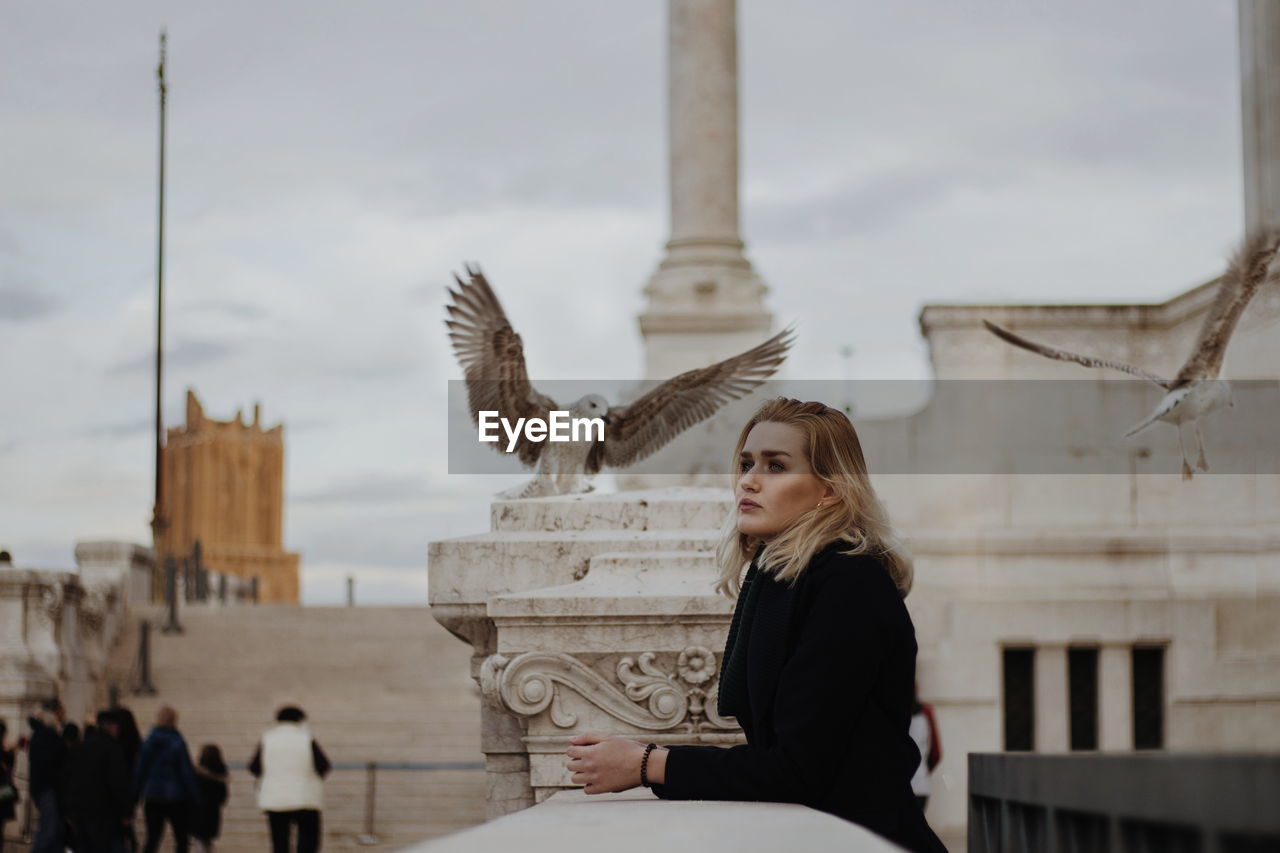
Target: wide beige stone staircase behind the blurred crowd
382	685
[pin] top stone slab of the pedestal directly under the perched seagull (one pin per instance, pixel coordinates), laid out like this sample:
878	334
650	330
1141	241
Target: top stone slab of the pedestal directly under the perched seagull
642	510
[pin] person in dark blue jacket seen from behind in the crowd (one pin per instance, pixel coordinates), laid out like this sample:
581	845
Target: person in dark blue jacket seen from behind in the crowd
166	781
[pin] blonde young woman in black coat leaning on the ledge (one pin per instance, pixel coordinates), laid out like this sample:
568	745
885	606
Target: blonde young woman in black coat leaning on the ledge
820	665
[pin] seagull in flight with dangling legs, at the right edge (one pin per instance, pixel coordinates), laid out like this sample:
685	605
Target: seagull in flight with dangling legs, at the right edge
1196	391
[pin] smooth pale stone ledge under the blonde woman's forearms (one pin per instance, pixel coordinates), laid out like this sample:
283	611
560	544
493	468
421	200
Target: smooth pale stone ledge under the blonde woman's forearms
637	822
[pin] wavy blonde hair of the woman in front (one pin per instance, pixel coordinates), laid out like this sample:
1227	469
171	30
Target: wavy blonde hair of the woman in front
857	517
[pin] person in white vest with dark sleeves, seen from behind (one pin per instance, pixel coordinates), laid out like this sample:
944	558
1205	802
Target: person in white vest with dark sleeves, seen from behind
291	769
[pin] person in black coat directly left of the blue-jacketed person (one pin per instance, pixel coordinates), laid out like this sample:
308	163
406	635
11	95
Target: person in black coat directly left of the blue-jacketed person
99	788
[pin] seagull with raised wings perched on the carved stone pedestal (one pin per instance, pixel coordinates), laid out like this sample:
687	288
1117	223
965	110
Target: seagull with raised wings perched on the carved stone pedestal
493	362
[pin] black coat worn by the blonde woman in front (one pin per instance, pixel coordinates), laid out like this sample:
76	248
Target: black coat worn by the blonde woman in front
830	676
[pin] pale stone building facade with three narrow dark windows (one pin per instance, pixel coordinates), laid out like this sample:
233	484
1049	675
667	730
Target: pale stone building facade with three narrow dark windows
1116	612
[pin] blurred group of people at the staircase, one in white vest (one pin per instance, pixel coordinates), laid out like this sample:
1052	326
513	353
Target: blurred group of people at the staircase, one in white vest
88	783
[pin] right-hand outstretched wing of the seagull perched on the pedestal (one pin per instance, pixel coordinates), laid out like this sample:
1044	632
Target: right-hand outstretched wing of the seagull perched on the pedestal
639	430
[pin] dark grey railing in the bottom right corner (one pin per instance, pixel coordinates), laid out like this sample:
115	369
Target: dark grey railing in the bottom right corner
1133	804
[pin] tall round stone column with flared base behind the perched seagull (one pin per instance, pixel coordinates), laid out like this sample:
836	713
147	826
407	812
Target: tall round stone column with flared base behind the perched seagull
706	303
